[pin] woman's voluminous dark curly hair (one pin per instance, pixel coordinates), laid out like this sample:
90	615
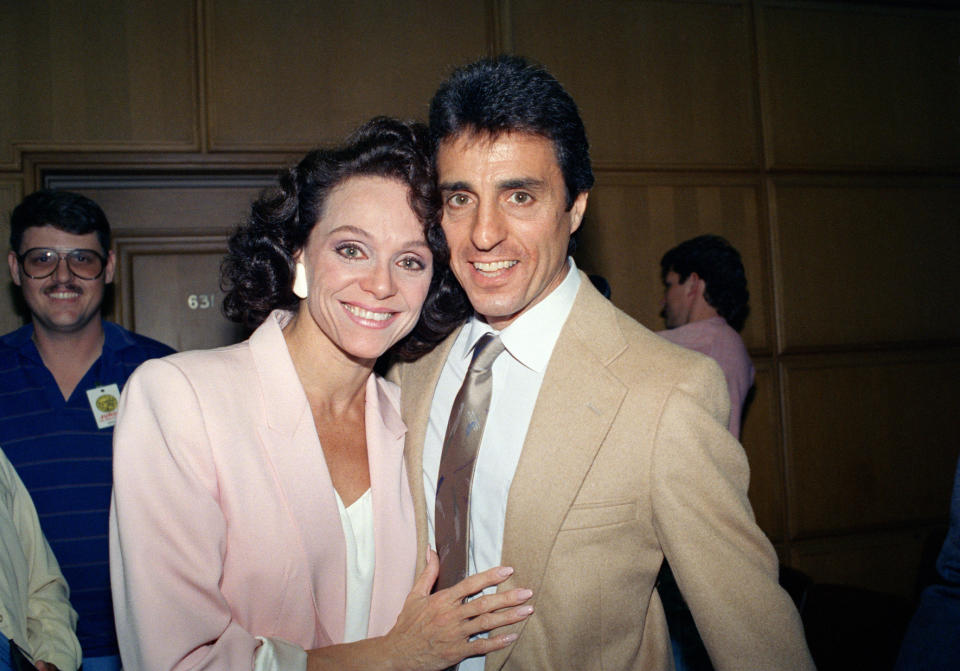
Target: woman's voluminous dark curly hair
257	273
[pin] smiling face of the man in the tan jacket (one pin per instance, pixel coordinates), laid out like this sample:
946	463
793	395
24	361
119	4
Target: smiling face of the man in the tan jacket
505	219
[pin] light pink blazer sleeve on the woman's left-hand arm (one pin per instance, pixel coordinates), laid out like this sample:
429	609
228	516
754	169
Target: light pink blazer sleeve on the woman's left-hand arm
168	533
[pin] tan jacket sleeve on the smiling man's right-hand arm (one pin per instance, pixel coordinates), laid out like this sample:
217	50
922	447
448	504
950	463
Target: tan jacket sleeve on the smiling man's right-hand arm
725	566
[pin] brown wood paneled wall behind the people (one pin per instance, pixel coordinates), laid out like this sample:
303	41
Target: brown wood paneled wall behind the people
821	138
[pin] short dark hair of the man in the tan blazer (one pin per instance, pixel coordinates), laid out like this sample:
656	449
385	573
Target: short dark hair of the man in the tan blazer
509	94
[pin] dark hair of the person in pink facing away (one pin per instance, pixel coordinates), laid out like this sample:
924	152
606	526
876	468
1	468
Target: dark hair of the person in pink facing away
718	263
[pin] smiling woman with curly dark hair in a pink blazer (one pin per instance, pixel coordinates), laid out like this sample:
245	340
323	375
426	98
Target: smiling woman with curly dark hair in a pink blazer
262	516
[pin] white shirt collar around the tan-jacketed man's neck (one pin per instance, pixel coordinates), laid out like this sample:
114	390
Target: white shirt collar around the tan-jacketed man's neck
530	338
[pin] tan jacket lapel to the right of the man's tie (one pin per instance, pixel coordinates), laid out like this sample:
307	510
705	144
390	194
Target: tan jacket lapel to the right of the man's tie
578	401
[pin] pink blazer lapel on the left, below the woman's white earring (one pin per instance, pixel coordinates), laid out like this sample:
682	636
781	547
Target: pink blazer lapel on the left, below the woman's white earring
293	448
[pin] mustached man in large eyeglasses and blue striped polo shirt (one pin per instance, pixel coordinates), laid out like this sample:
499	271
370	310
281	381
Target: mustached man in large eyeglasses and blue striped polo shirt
60	381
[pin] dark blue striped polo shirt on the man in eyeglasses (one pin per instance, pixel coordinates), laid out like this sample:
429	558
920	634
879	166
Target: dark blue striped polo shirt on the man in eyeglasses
65	462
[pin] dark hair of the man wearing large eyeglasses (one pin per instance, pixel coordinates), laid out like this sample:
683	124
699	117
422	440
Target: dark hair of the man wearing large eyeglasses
65	211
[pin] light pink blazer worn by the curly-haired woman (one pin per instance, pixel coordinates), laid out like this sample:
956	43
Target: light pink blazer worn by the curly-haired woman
224	523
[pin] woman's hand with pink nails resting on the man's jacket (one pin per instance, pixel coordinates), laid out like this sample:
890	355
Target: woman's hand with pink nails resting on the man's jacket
433	630
